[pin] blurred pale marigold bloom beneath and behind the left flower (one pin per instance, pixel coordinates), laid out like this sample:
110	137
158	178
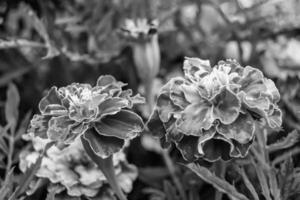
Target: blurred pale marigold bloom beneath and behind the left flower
72	172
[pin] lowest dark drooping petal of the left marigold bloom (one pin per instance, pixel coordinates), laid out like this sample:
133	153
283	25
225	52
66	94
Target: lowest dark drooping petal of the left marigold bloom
103	146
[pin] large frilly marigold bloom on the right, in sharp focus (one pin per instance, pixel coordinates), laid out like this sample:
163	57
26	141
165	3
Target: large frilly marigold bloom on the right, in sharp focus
211	111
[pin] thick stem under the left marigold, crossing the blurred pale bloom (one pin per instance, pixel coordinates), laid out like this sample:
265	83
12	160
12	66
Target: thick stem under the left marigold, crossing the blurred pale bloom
107	167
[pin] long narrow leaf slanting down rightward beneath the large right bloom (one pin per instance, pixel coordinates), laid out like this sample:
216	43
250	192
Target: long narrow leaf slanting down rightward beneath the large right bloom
218	183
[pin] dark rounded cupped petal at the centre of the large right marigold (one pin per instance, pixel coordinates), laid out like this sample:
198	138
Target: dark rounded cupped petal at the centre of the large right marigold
226	106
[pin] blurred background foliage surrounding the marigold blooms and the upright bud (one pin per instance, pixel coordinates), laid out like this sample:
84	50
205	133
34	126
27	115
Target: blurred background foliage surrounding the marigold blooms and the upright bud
46	43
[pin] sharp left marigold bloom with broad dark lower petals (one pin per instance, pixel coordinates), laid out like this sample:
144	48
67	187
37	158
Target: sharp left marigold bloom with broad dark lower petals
102	115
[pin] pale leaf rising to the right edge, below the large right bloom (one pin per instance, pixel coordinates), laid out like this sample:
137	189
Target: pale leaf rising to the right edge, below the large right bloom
291	139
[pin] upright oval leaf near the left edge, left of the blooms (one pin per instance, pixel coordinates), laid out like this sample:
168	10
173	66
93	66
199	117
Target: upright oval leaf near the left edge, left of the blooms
11	106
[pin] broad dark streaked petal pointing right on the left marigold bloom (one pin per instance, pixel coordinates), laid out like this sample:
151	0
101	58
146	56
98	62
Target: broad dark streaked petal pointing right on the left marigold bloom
124	125
